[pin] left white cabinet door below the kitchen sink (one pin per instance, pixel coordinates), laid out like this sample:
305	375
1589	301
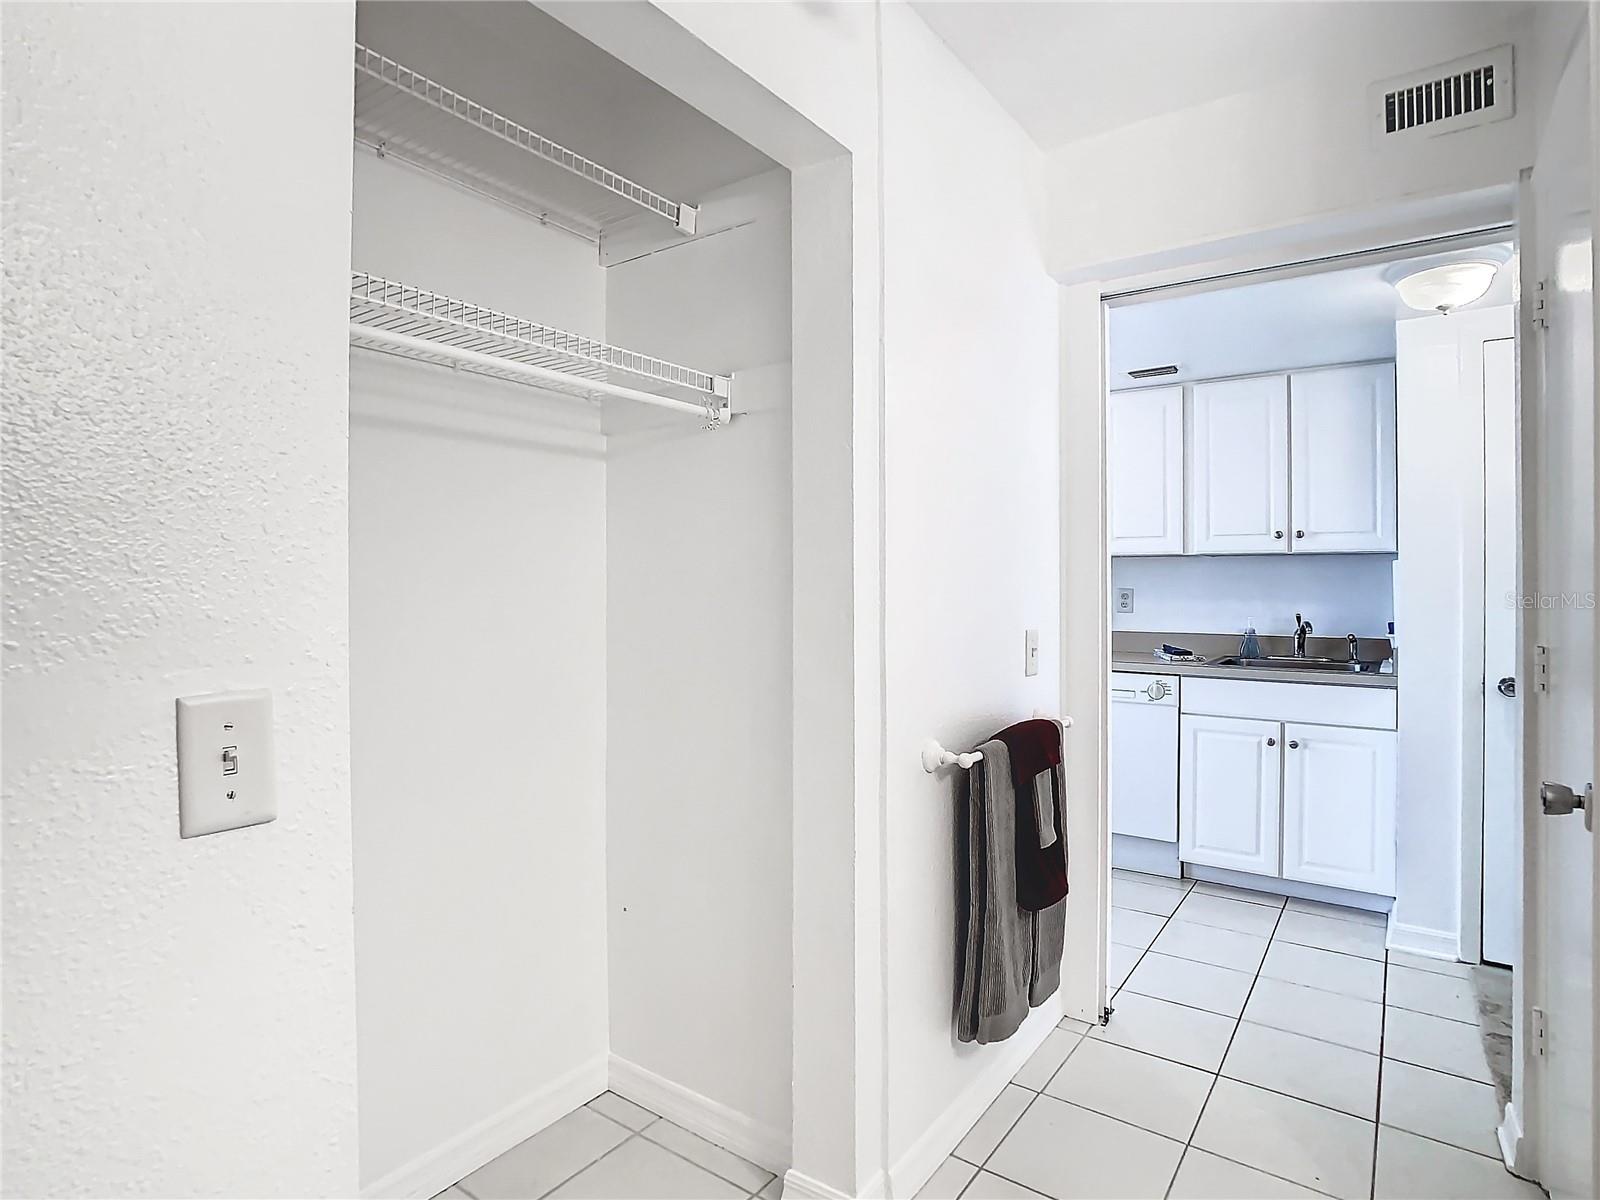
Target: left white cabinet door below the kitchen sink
1230	793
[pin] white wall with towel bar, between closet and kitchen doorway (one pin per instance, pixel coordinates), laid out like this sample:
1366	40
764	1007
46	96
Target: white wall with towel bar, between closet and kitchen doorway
970	526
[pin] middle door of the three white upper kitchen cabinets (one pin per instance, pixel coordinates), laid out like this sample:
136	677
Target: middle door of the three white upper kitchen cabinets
1239	497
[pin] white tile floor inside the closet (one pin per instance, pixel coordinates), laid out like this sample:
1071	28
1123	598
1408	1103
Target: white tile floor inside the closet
610	1150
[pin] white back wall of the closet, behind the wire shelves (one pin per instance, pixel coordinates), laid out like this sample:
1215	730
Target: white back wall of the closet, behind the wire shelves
478	703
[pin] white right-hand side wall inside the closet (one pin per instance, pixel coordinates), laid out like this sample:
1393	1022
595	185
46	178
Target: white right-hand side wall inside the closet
700	660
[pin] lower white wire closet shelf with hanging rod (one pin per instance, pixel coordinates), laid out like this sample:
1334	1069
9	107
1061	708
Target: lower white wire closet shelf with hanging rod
425	326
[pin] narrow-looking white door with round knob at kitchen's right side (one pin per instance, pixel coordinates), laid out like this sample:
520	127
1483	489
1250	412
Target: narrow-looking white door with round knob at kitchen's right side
1502	897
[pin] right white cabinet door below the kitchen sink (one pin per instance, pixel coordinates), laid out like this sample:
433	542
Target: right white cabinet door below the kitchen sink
1340	807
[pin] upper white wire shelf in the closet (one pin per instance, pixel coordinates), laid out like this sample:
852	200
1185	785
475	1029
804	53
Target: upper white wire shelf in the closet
404	113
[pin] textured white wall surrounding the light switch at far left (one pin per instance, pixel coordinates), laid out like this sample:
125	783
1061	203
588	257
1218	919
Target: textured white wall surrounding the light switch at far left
180	1017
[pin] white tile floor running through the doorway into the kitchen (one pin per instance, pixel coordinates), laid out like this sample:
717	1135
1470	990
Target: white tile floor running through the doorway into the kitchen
1258	1050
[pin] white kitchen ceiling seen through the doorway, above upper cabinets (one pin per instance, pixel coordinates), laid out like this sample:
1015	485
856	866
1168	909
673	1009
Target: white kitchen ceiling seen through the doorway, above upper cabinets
1313	321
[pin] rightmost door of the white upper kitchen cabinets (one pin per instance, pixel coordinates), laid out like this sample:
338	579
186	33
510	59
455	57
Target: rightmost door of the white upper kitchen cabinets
1343	458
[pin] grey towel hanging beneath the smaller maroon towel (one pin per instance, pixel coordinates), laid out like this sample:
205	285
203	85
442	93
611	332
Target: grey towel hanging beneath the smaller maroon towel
1010	959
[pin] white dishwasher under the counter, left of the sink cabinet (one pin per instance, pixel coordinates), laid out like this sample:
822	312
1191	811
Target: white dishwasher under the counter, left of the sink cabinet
1145	758
